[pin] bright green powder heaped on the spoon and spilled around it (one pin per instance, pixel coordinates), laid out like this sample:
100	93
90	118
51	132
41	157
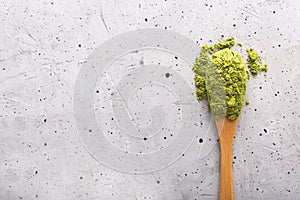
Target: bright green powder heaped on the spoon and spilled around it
221	75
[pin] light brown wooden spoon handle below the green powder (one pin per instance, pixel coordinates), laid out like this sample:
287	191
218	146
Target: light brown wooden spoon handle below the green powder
226	129
